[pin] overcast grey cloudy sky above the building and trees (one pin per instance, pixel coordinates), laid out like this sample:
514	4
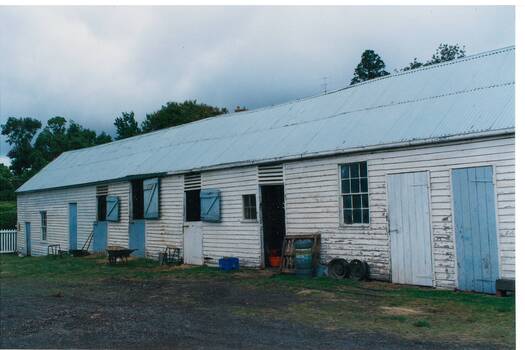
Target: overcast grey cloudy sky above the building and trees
89	64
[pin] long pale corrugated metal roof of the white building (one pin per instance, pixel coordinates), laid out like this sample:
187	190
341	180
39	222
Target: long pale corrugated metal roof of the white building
472	96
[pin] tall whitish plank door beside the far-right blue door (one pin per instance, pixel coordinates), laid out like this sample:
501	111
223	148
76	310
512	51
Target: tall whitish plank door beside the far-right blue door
410	228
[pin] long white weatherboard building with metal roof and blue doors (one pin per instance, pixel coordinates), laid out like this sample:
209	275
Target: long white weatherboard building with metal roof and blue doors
413	173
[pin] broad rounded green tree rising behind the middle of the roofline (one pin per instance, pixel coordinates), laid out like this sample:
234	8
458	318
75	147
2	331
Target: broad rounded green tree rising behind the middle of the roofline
174	113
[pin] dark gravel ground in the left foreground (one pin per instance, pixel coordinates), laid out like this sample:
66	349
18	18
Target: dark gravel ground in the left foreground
196	314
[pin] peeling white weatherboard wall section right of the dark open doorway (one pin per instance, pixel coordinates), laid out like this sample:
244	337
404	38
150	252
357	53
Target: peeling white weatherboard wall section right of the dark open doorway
312	203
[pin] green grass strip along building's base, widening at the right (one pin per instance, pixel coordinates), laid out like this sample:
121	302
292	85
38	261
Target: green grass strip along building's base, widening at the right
342	305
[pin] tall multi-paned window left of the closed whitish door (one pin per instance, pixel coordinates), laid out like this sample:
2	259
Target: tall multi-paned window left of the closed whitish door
354	192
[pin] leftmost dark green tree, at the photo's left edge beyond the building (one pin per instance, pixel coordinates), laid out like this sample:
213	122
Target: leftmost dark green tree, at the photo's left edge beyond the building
20	133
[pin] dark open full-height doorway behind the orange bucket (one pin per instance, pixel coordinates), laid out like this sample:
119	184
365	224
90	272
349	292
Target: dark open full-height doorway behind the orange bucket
272	205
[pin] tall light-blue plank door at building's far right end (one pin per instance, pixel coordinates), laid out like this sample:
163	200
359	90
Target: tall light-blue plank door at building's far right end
475	225
